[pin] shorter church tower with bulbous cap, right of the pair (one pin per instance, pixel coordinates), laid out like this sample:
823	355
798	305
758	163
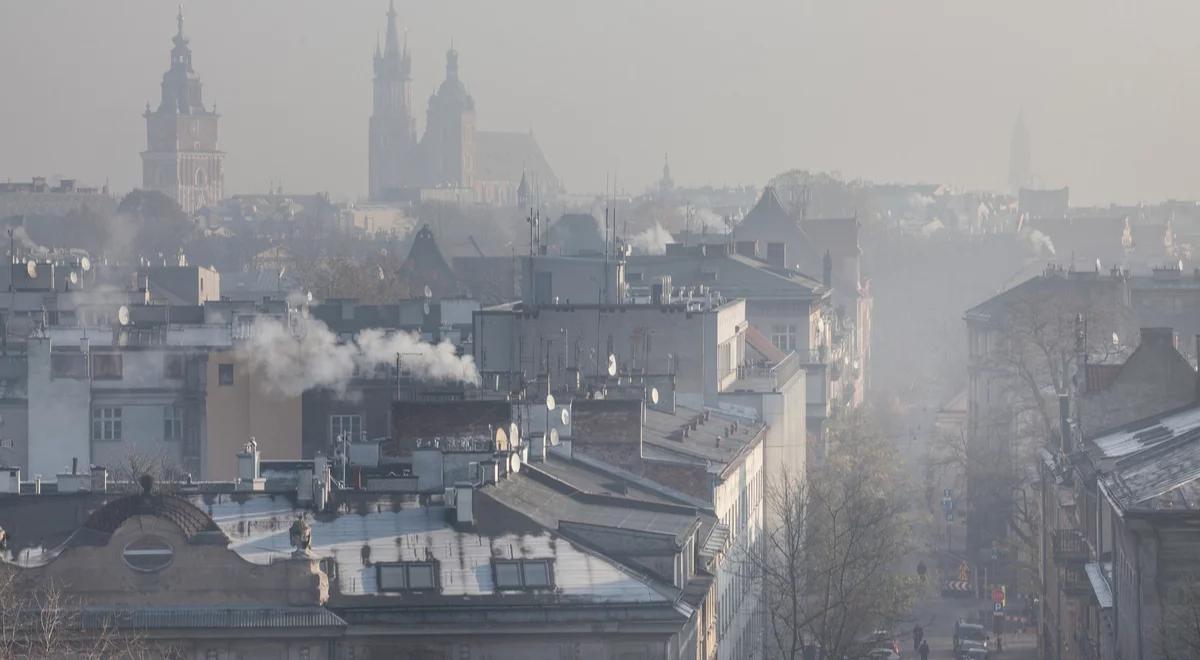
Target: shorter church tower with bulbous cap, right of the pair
449	143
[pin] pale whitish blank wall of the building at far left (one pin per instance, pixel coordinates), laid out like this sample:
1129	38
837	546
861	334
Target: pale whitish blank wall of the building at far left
59	415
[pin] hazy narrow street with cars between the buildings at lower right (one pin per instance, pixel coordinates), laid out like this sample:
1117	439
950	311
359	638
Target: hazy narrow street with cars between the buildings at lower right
935	613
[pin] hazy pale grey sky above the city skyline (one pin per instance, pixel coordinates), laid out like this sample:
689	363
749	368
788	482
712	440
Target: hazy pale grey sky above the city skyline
735	92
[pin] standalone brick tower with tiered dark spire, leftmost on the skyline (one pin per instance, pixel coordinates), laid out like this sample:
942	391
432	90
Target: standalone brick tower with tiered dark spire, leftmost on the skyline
182	159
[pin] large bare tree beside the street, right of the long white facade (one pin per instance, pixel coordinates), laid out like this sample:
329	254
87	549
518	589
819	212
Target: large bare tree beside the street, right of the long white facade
829	569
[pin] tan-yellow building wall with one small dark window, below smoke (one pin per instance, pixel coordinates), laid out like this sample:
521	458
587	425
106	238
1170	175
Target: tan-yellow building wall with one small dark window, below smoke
244	410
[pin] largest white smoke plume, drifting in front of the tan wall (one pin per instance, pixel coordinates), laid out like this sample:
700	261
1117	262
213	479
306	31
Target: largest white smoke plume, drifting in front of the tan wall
309	356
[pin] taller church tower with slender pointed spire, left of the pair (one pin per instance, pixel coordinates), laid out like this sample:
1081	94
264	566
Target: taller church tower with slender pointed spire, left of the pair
393	131
